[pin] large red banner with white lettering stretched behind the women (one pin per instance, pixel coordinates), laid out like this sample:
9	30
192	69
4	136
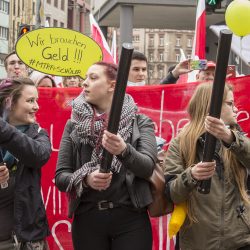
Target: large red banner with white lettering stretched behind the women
165	104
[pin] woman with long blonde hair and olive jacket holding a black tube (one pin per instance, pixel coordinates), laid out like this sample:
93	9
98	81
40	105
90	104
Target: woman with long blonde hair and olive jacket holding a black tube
221	218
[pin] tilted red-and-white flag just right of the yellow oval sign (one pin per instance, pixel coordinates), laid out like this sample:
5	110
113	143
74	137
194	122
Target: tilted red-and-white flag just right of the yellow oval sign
98	36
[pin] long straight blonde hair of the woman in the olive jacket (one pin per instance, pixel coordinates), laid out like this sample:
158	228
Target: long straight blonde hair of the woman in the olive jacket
198	109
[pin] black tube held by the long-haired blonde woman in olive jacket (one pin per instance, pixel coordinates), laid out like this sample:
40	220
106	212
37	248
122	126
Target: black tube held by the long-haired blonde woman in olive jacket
216	99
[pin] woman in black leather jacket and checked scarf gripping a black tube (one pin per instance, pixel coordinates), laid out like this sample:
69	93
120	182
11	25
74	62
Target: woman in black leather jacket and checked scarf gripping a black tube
110	209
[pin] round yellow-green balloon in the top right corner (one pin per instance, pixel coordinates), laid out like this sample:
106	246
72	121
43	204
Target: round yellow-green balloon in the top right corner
238	17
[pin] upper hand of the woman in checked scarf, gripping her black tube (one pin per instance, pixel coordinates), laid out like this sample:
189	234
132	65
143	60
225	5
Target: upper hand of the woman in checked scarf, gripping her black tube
114	144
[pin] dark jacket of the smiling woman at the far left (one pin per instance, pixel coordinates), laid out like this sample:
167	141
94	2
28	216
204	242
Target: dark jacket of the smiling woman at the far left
32	150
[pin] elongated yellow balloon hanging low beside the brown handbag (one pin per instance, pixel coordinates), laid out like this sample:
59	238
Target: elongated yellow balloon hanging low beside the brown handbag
177	219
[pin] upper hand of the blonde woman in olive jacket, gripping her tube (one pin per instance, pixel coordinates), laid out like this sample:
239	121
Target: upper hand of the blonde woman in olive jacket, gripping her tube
217	128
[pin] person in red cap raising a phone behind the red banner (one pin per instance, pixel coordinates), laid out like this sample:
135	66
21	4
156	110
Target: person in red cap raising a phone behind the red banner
183	68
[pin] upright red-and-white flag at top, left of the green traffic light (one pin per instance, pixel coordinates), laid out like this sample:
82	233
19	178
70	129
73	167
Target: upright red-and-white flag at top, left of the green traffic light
200	31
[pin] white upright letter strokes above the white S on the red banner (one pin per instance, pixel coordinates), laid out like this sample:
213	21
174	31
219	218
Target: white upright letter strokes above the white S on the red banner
56	199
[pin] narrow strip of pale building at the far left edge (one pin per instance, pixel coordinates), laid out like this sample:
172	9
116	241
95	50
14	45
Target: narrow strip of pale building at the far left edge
4	33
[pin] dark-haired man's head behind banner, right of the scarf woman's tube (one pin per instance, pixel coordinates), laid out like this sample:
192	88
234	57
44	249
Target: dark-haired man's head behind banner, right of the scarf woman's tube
138	72
